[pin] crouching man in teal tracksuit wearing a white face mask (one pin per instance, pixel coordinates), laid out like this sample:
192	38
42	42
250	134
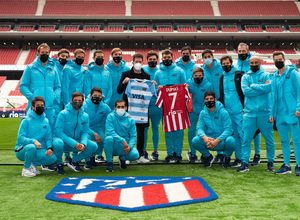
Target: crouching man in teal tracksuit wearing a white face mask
120	136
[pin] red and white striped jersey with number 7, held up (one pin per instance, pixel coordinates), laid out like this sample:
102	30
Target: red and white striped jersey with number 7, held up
173	100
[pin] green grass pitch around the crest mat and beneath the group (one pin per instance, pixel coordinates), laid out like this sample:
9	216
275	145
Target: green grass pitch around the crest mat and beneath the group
254	195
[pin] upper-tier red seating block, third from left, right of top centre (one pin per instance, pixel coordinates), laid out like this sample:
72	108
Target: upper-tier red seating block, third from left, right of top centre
171	8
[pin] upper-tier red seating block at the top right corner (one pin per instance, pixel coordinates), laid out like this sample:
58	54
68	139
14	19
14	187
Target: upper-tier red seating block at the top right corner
258	8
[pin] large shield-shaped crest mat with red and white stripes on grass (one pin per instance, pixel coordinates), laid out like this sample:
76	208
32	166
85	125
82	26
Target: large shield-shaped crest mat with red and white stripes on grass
132	193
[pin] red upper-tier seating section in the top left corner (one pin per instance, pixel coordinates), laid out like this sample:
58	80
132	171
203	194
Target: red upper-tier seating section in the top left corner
18	7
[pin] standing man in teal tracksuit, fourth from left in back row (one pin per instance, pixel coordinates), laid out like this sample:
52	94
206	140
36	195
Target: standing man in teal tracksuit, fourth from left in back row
98	76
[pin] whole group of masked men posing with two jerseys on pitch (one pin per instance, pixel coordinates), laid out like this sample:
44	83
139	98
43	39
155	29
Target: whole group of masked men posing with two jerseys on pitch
83	110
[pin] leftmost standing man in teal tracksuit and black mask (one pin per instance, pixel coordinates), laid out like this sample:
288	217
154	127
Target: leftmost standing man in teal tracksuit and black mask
41	78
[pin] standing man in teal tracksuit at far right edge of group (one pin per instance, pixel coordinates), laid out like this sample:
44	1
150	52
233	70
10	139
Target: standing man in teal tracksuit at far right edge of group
286	110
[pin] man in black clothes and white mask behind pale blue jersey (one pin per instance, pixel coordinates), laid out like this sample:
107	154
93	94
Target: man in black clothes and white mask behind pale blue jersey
136	72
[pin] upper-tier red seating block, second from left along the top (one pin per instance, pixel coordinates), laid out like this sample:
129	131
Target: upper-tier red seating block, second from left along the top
84	8
